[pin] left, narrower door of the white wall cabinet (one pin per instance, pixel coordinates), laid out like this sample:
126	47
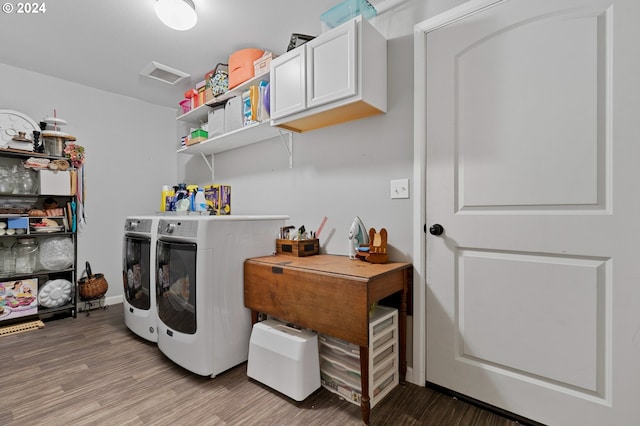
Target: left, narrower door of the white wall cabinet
288	92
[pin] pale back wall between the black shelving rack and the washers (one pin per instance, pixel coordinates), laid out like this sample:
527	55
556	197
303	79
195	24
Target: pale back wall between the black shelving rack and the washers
130	149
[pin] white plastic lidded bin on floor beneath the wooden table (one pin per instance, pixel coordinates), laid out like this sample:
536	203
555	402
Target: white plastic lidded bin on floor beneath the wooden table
284	358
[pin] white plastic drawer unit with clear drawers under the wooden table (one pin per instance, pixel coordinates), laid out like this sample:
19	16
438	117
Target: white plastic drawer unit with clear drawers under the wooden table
340	360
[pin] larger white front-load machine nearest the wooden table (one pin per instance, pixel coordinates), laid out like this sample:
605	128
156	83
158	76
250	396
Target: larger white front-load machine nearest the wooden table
203	324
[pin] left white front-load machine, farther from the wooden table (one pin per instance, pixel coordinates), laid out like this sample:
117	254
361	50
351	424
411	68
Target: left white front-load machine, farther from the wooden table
138	275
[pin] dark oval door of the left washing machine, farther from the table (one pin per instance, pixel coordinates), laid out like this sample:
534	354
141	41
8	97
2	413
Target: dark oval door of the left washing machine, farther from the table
136	271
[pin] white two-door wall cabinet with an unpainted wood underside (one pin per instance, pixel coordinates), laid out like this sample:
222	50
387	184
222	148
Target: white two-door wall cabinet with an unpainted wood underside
339	76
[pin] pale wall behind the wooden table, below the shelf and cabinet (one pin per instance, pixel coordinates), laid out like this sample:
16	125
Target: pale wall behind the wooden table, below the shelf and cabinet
340	171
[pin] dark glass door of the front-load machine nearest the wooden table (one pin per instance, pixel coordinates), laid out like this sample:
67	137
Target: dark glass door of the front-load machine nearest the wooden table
176	285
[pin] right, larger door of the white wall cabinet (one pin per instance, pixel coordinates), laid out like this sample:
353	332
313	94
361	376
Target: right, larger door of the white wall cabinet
332	65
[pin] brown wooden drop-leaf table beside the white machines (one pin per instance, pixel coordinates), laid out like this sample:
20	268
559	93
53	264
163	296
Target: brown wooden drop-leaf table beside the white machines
331	295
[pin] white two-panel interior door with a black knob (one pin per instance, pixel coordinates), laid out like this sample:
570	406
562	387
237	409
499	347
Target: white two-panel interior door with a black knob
532	169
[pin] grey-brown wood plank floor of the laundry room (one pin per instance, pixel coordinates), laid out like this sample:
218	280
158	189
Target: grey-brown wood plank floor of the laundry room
92	370
